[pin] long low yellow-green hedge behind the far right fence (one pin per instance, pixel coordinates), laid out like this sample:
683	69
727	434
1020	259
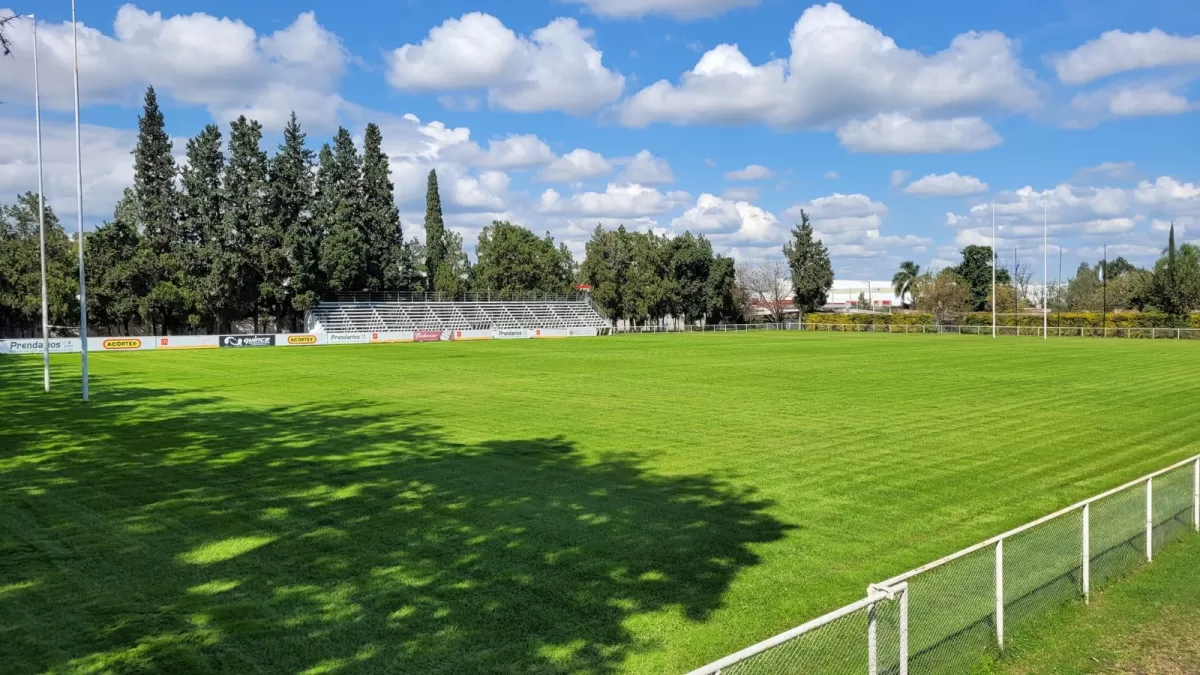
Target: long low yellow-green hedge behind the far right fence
1072	320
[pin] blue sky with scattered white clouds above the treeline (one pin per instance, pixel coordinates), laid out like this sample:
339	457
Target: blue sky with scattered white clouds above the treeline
895	126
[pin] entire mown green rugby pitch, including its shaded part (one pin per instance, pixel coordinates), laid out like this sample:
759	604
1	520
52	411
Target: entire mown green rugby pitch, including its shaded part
623	505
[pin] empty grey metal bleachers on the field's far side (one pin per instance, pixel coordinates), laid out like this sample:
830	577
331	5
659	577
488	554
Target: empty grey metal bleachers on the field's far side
353	316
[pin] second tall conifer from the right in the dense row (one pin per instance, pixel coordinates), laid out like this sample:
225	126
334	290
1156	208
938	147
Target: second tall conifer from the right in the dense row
344	252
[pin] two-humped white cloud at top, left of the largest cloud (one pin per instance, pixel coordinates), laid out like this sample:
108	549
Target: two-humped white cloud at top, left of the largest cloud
555	69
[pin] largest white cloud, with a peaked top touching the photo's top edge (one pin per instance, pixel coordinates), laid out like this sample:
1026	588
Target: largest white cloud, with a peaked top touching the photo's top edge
839	69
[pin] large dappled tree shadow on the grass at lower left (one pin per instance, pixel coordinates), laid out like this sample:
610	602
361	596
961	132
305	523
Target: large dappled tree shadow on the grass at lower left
165	533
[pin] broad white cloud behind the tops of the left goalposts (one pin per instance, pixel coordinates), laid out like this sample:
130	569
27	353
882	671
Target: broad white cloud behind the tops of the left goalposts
194	59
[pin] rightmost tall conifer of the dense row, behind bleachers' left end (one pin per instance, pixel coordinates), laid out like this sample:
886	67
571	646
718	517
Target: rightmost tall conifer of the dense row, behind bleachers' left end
383	234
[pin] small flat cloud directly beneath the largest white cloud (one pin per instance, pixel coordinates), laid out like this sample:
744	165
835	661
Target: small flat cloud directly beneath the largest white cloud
893	133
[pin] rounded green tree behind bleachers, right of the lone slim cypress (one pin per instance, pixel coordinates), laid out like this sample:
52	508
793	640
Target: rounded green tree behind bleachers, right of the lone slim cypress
511	261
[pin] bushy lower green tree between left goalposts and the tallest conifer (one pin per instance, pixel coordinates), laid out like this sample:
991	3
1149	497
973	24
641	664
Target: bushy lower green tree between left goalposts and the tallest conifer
115	284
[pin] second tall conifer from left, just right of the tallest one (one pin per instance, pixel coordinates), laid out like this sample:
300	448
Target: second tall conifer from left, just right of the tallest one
201	224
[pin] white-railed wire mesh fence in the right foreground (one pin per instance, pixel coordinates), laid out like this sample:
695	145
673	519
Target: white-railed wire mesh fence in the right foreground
947	616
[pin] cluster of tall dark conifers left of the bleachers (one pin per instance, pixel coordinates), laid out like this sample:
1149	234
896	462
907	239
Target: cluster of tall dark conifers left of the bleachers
237	235
